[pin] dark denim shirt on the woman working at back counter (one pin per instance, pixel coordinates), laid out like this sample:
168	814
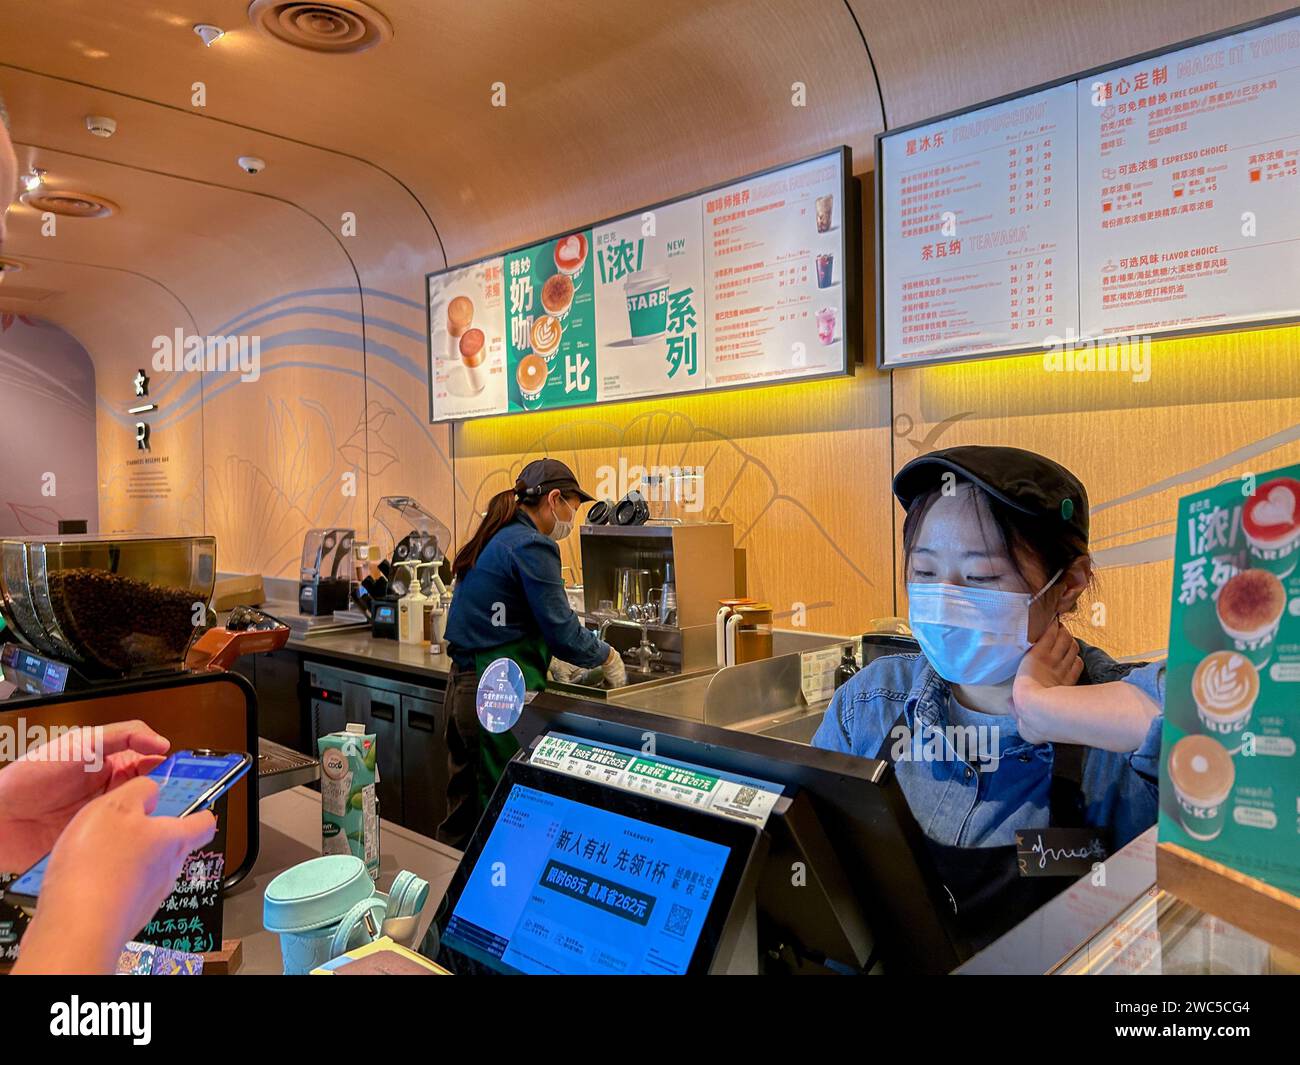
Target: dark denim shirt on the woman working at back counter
513	592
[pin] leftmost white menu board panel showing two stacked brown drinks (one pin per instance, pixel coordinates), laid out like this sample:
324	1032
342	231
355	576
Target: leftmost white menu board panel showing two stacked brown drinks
467	341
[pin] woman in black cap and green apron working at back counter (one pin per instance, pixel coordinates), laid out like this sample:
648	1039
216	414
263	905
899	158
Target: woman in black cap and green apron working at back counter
510	603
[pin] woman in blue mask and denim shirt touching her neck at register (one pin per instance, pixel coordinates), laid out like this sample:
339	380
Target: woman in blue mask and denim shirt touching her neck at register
1004	722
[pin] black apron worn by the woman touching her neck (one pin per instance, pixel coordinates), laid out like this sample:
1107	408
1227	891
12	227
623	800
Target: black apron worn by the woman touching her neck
989	893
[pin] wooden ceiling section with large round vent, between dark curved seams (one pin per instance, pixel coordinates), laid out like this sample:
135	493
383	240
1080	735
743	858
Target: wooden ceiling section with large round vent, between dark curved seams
606	106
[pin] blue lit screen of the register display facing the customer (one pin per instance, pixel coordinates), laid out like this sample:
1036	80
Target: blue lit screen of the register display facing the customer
565	887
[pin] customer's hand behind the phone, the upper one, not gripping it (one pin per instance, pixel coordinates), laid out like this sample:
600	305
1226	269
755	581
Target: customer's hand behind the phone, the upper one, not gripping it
42	791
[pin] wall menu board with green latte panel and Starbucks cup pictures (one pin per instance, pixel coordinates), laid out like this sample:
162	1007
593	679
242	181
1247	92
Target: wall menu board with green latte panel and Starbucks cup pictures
748	283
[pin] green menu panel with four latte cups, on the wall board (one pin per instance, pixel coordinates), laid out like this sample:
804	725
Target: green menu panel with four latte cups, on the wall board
551	324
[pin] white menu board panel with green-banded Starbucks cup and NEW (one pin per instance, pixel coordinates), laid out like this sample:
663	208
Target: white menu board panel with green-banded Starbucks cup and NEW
651	301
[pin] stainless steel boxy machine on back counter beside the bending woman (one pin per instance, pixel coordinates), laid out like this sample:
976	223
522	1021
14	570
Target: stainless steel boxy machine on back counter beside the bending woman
652	591
